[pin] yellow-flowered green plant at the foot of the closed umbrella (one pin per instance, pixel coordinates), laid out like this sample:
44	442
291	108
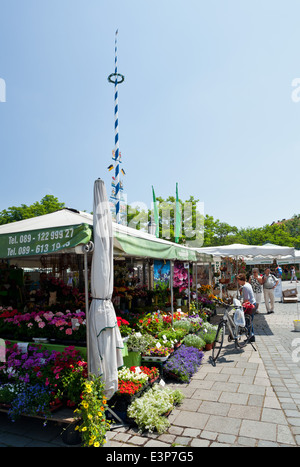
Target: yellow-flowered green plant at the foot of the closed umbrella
91	413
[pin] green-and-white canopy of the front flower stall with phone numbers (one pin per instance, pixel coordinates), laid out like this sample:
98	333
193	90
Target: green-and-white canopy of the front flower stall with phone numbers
64	230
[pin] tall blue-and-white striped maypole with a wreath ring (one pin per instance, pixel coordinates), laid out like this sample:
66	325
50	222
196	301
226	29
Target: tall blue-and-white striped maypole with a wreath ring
116	78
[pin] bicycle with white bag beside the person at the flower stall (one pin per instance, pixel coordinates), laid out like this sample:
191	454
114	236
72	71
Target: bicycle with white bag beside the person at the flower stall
236	332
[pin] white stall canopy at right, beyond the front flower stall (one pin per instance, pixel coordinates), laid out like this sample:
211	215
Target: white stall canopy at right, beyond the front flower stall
240	250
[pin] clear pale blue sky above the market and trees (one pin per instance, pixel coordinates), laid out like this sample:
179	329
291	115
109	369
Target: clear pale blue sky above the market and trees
206	102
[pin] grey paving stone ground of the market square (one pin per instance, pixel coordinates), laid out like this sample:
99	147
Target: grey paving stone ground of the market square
248	399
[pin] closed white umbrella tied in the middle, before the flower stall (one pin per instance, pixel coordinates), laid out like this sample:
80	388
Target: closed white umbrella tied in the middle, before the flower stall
105	341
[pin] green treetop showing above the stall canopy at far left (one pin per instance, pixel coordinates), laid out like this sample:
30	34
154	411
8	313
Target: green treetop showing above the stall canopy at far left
48	204
